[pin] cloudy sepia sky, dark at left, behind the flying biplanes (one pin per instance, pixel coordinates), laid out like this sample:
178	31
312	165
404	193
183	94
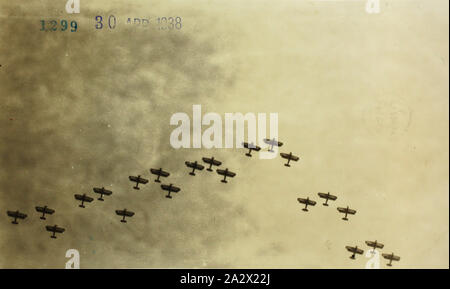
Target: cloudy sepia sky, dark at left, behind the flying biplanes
361	98
